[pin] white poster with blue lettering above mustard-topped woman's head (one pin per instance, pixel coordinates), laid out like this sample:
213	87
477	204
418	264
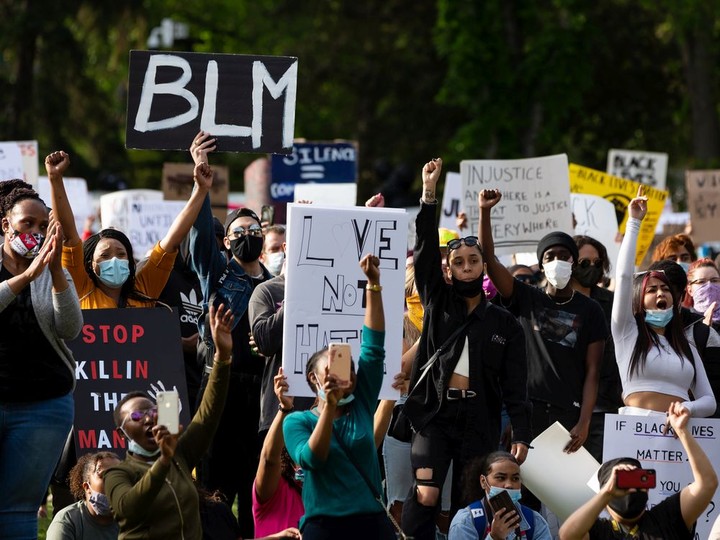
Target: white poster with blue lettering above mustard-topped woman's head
148	223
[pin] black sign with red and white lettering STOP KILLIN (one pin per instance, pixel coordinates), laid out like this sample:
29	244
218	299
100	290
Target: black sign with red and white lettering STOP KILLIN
117	352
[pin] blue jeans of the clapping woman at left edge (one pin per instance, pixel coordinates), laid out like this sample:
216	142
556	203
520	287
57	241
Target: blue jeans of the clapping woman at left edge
32	436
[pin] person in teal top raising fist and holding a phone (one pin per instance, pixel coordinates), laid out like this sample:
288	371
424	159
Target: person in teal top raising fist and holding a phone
334	444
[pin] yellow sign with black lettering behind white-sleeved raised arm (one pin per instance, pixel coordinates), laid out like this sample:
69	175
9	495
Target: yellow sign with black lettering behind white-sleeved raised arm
620	191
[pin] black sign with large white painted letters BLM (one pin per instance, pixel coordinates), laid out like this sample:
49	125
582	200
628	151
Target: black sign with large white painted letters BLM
246	102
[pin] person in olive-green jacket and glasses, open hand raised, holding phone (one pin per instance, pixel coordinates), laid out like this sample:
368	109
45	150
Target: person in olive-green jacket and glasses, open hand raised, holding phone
151	492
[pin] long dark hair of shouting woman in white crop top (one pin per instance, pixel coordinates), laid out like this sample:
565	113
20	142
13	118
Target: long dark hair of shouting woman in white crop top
647	337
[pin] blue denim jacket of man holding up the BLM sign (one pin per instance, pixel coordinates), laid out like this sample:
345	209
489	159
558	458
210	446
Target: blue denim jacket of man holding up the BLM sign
221	282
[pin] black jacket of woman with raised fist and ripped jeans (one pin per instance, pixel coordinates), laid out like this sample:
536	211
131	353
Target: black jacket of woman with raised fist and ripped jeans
498	364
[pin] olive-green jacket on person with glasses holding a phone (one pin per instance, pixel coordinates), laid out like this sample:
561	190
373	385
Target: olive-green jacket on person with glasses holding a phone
150	500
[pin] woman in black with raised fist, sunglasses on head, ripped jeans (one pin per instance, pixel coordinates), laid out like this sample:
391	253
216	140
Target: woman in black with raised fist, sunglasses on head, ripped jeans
455	402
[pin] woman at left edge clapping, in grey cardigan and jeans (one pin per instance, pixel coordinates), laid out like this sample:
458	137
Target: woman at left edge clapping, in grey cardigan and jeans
39	310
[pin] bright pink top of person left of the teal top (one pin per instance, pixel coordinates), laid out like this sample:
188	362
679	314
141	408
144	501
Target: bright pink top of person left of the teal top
284	509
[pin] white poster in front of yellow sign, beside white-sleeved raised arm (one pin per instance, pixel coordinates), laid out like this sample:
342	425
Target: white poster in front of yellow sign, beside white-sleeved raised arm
596	217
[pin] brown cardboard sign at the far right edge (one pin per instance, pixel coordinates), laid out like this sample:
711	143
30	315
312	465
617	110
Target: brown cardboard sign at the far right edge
703	197
